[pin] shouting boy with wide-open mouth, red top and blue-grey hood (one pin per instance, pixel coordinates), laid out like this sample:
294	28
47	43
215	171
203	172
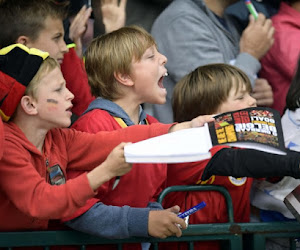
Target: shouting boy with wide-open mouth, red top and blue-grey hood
132	72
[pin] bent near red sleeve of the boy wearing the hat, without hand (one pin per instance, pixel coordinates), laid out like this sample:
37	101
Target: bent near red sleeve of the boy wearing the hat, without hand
25	185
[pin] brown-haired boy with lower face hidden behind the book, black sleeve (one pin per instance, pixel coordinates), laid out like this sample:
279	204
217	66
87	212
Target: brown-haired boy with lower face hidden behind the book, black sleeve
201	89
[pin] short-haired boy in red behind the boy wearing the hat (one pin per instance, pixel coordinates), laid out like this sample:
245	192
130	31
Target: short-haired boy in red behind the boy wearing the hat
39	24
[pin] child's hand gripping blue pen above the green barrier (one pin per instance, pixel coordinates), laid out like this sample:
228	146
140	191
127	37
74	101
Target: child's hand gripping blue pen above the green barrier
164	223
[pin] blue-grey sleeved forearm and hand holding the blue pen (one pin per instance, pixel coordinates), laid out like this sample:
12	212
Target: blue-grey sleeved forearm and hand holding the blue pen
123	222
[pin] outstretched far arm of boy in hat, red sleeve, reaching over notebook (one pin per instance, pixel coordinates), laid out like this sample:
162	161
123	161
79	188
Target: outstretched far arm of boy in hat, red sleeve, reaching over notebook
98	146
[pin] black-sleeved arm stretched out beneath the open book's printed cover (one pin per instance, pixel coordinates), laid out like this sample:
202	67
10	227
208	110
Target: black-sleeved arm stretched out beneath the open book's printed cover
252	163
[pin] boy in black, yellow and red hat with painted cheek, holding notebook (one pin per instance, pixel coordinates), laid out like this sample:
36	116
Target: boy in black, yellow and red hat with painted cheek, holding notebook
37	151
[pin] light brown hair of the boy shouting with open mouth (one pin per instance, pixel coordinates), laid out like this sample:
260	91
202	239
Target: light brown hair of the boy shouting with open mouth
113	53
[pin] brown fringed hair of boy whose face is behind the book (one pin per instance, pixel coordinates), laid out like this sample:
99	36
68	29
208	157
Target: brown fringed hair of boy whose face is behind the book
203	90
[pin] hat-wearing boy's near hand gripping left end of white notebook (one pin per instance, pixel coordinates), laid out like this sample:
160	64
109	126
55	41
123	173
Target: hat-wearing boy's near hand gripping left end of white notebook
116	163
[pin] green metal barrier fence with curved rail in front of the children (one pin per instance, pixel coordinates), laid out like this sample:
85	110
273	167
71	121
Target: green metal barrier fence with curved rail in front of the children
233	235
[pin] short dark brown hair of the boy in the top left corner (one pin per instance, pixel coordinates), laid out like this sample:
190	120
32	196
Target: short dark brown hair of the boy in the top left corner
20	17
